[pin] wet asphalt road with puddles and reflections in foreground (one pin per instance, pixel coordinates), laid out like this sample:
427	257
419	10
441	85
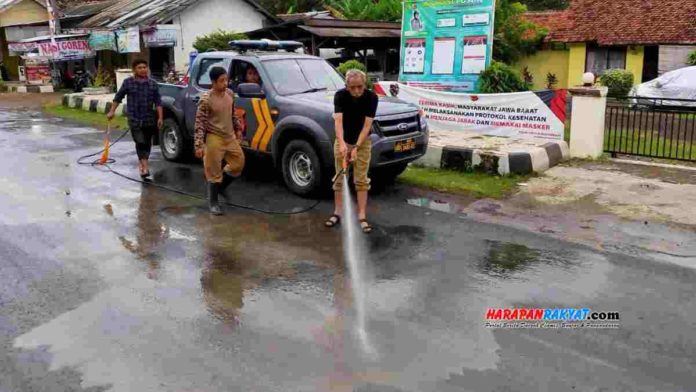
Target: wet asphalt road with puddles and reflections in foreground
108	285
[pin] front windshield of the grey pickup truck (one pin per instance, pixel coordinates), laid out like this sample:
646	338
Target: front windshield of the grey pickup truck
297	76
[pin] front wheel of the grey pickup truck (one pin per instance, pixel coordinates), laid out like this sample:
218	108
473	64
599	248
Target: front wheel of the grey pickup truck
302	169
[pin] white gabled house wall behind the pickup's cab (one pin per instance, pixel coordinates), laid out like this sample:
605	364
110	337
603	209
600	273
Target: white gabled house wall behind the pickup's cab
209	15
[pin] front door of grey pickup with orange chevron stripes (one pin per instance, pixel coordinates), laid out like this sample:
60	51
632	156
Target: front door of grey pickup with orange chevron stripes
253	112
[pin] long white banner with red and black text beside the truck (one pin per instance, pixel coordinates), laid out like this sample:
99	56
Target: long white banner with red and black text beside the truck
523	114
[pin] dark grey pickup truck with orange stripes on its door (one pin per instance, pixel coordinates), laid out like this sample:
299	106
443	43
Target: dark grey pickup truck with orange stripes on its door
289	116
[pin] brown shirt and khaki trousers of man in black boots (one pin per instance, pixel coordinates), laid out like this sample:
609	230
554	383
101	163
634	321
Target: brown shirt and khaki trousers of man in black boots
215	131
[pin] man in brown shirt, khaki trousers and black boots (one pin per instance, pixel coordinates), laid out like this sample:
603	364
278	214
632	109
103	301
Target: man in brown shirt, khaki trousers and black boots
218	137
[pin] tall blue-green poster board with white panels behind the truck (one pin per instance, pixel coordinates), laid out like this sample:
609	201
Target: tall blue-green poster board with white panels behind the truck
446	44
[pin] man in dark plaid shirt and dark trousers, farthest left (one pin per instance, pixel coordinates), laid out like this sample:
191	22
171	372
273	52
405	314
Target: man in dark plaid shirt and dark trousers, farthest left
143	97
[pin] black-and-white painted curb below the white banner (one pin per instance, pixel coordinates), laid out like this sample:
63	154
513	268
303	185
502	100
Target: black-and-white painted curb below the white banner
533	160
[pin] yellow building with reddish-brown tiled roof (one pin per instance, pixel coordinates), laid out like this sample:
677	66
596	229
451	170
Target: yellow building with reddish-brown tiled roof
647	37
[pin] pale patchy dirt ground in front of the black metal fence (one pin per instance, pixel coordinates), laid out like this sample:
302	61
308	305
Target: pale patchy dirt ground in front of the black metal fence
642	210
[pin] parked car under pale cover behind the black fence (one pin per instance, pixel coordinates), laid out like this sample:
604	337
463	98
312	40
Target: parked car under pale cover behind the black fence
675	89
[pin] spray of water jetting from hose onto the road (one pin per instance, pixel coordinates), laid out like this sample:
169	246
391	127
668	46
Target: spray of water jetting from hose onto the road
354	253
